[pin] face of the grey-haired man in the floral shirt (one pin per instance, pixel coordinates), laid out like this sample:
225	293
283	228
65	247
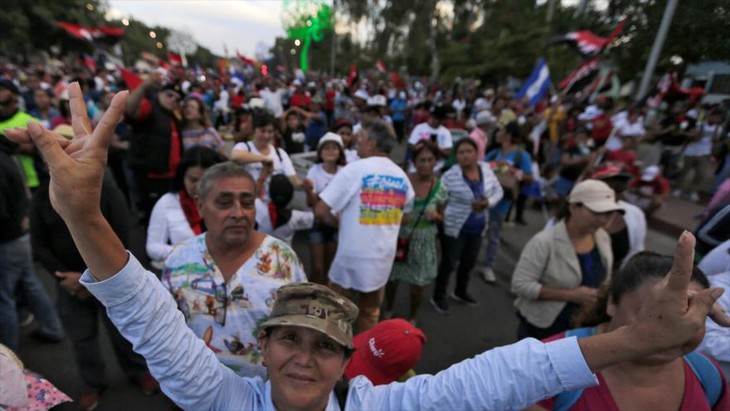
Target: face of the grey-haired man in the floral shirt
229	211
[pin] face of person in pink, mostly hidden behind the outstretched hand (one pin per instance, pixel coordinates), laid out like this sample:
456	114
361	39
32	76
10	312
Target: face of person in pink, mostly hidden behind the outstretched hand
627	311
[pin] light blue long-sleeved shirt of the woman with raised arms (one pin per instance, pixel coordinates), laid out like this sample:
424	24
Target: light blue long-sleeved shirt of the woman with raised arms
510	377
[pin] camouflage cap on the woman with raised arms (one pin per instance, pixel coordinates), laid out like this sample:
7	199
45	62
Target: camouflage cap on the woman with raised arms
316	307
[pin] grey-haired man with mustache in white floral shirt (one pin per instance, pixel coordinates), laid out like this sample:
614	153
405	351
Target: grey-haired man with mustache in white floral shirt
224	280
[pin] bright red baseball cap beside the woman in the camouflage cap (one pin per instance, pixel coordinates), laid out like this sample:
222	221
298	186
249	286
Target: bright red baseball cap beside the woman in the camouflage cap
386	352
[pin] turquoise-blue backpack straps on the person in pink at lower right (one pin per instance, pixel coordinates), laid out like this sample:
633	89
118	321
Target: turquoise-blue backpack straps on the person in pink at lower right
701	366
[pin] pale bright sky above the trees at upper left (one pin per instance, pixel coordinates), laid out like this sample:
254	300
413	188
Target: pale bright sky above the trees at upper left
239	24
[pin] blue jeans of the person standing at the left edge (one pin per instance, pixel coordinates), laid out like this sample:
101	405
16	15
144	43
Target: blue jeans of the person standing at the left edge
18	280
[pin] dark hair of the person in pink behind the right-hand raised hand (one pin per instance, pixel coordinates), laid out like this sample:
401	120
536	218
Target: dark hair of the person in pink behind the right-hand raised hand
639	269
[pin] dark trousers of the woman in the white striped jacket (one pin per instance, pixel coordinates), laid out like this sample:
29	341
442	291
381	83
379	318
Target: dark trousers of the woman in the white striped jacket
464	250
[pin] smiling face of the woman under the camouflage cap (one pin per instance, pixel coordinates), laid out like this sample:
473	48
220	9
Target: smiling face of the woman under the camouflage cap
303	365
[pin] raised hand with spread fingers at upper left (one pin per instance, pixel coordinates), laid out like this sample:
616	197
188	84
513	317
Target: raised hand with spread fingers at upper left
76	166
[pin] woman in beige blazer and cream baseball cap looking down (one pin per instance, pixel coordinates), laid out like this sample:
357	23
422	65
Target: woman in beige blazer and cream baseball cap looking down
560	268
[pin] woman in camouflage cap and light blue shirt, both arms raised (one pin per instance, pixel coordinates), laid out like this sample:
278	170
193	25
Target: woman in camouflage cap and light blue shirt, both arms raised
307	340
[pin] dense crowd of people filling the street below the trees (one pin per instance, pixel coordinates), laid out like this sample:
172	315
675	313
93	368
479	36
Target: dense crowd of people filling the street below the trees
207	165
